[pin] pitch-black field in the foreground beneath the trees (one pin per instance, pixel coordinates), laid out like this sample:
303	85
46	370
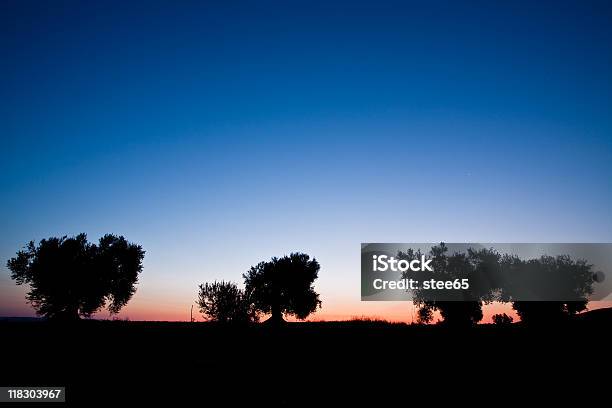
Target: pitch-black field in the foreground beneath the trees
201	364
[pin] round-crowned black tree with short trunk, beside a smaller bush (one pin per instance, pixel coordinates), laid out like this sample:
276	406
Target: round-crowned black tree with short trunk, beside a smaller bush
284	286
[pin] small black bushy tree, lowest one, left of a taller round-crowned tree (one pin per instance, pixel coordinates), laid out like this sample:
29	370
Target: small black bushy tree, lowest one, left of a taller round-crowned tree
224	302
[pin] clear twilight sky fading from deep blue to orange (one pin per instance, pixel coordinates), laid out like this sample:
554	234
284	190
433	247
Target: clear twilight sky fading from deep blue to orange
218	135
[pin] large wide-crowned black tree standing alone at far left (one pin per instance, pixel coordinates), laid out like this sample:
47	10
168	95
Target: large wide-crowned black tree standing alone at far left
71	278
